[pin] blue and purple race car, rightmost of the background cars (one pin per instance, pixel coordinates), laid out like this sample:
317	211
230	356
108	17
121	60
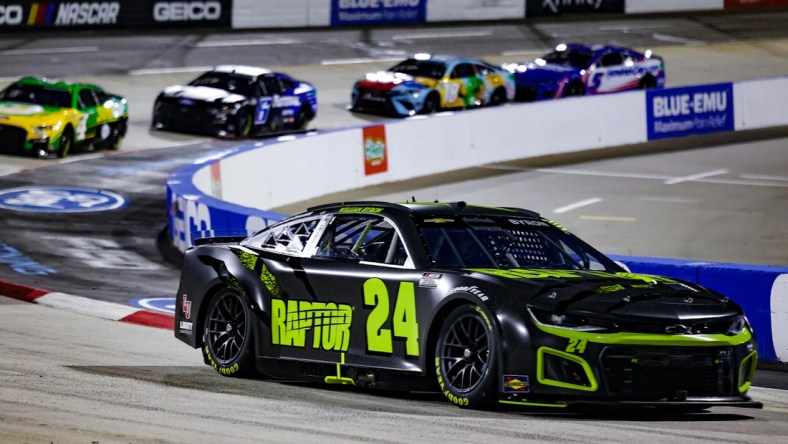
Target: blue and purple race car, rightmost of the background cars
578	69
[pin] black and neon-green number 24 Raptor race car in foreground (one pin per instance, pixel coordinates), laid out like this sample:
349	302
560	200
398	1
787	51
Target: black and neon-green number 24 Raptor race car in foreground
488	305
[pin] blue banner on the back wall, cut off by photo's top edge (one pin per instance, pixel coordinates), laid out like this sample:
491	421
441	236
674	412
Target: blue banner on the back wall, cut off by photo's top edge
370	12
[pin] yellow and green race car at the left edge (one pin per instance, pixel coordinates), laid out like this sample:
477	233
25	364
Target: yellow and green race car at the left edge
41	117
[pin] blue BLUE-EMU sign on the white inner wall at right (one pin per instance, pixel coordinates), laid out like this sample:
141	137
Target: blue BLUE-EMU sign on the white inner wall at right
678	112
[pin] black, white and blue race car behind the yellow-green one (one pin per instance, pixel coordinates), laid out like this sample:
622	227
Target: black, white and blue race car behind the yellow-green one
234	100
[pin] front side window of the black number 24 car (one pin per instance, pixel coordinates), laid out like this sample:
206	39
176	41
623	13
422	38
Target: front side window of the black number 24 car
362	238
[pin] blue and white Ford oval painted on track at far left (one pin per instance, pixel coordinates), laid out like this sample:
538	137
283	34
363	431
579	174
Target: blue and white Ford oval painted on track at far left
59	199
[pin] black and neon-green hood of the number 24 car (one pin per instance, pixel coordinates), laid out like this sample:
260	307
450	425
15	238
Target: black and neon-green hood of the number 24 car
615	295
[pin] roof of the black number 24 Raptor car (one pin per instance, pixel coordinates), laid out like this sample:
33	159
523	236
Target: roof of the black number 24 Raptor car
424	208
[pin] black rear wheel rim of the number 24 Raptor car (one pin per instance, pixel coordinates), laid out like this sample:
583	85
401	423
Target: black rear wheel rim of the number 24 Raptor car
226	328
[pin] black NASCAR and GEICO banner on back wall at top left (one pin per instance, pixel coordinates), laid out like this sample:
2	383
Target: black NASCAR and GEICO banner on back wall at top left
21	14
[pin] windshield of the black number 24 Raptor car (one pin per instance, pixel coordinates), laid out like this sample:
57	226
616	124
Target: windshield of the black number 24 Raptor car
507	242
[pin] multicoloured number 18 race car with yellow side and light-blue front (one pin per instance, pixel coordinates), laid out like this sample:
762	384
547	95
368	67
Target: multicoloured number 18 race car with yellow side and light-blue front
427	83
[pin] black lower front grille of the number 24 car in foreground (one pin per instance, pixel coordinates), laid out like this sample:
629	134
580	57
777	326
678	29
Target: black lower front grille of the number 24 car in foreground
668	373
